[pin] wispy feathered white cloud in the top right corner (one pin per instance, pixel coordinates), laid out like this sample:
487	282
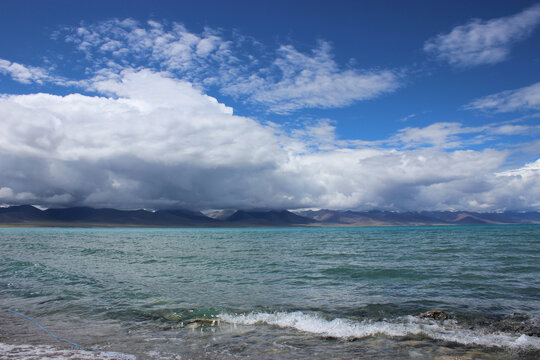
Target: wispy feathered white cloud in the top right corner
483	42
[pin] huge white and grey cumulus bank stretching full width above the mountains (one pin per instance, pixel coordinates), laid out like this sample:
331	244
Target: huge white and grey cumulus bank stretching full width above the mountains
153	141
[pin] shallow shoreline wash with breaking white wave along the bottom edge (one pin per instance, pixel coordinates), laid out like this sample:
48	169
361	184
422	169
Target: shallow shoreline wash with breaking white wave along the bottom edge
21	339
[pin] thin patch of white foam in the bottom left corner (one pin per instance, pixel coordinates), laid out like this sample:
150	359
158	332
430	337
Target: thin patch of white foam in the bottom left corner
35	352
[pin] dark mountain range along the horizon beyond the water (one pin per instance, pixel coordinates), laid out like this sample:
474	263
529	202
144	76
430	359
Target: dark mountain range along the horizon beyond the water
27	215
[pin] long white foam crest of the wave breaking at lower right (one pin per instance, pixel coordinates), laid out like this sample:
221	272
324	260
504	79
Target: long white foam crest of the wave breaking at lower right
410	325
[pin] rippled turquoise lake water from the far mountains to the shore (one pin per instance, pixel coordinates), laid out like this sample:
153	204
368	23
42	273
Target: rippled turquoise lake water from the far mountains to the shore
275	293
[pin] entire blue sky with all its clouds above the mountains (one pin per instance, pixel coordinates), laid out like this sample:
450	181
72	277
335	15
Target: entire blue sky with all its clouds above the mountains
388	105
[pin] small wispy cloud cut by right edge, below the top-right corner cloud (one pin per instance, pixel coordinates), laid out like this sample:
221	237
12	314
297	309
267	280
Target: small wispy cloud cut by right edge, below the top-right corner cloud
526	98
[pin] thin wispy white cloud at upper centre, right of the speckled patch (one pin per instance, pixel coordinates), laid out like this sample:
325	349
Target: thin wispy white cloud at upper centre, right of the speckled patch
311	82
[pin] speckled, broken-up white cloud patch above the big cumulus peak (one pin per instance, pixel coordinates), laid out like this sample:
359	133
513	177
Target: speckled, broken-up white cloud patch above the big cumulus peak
173	48
